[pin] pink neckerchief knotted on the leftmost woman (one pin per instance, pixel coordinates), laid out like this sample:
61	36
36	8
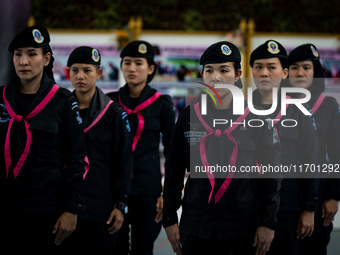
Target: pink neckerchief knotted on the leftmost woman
19	118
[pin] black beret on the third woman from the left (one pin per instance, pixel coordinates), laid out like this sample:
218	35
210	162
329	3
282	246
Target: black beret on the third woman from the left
138	49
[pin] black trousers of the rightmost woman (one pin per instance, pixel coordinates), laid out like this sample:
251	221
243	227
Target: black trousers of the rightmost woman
317	243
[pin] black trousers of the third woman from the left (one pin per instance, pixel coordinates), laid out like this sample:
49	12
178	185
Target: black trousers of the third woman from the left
144	229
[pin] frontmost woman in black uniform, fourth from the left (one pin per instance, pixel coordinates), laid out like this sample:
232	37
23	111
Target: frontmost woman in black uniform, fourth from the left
232	212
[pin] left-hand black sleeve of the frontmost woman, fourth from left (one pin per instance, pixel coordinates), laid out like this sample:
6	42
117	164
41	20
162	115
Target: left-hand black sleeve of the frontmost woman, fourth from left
174	175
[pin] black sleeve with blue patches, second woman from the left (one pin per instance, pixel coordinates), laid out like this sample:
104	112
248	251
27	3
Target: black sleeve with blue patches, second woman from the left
122	157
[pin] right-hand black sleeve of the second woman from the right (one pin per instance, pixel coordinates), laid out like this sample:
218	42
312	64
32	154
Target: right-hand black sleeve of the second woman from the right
308	153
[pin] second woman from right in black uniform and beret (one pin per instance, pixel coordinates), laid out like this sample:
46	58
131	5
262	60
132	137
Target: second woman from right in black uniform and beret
299	145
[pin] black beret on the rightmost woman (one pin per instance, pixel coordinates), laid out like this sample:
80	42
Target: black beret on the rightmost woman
303	52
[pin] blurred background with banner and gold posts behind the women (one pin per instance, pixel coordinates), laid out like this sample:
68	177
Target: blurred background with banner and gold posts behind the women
180	31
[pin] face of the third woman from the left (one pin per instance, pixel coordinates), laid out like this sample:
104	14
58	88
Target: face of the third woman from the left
136	70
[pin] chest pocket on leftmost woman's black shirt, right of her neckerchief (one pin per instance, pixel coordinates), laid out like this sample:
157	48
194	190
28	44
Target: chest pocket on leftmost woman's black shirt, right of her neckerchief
45	136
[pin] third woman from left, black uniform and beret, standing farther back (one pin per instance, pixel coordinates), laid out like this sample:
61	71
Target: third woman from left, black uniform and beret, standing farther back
150	114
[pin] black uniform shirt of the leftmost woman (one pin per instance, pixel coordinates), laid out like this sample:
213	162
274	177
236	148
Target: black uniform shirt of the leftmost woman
49	181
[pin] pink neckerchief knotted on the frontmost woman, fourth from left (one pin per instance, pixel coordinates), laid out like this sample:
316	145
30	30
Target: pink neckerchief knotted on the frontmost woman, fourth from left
203	153
